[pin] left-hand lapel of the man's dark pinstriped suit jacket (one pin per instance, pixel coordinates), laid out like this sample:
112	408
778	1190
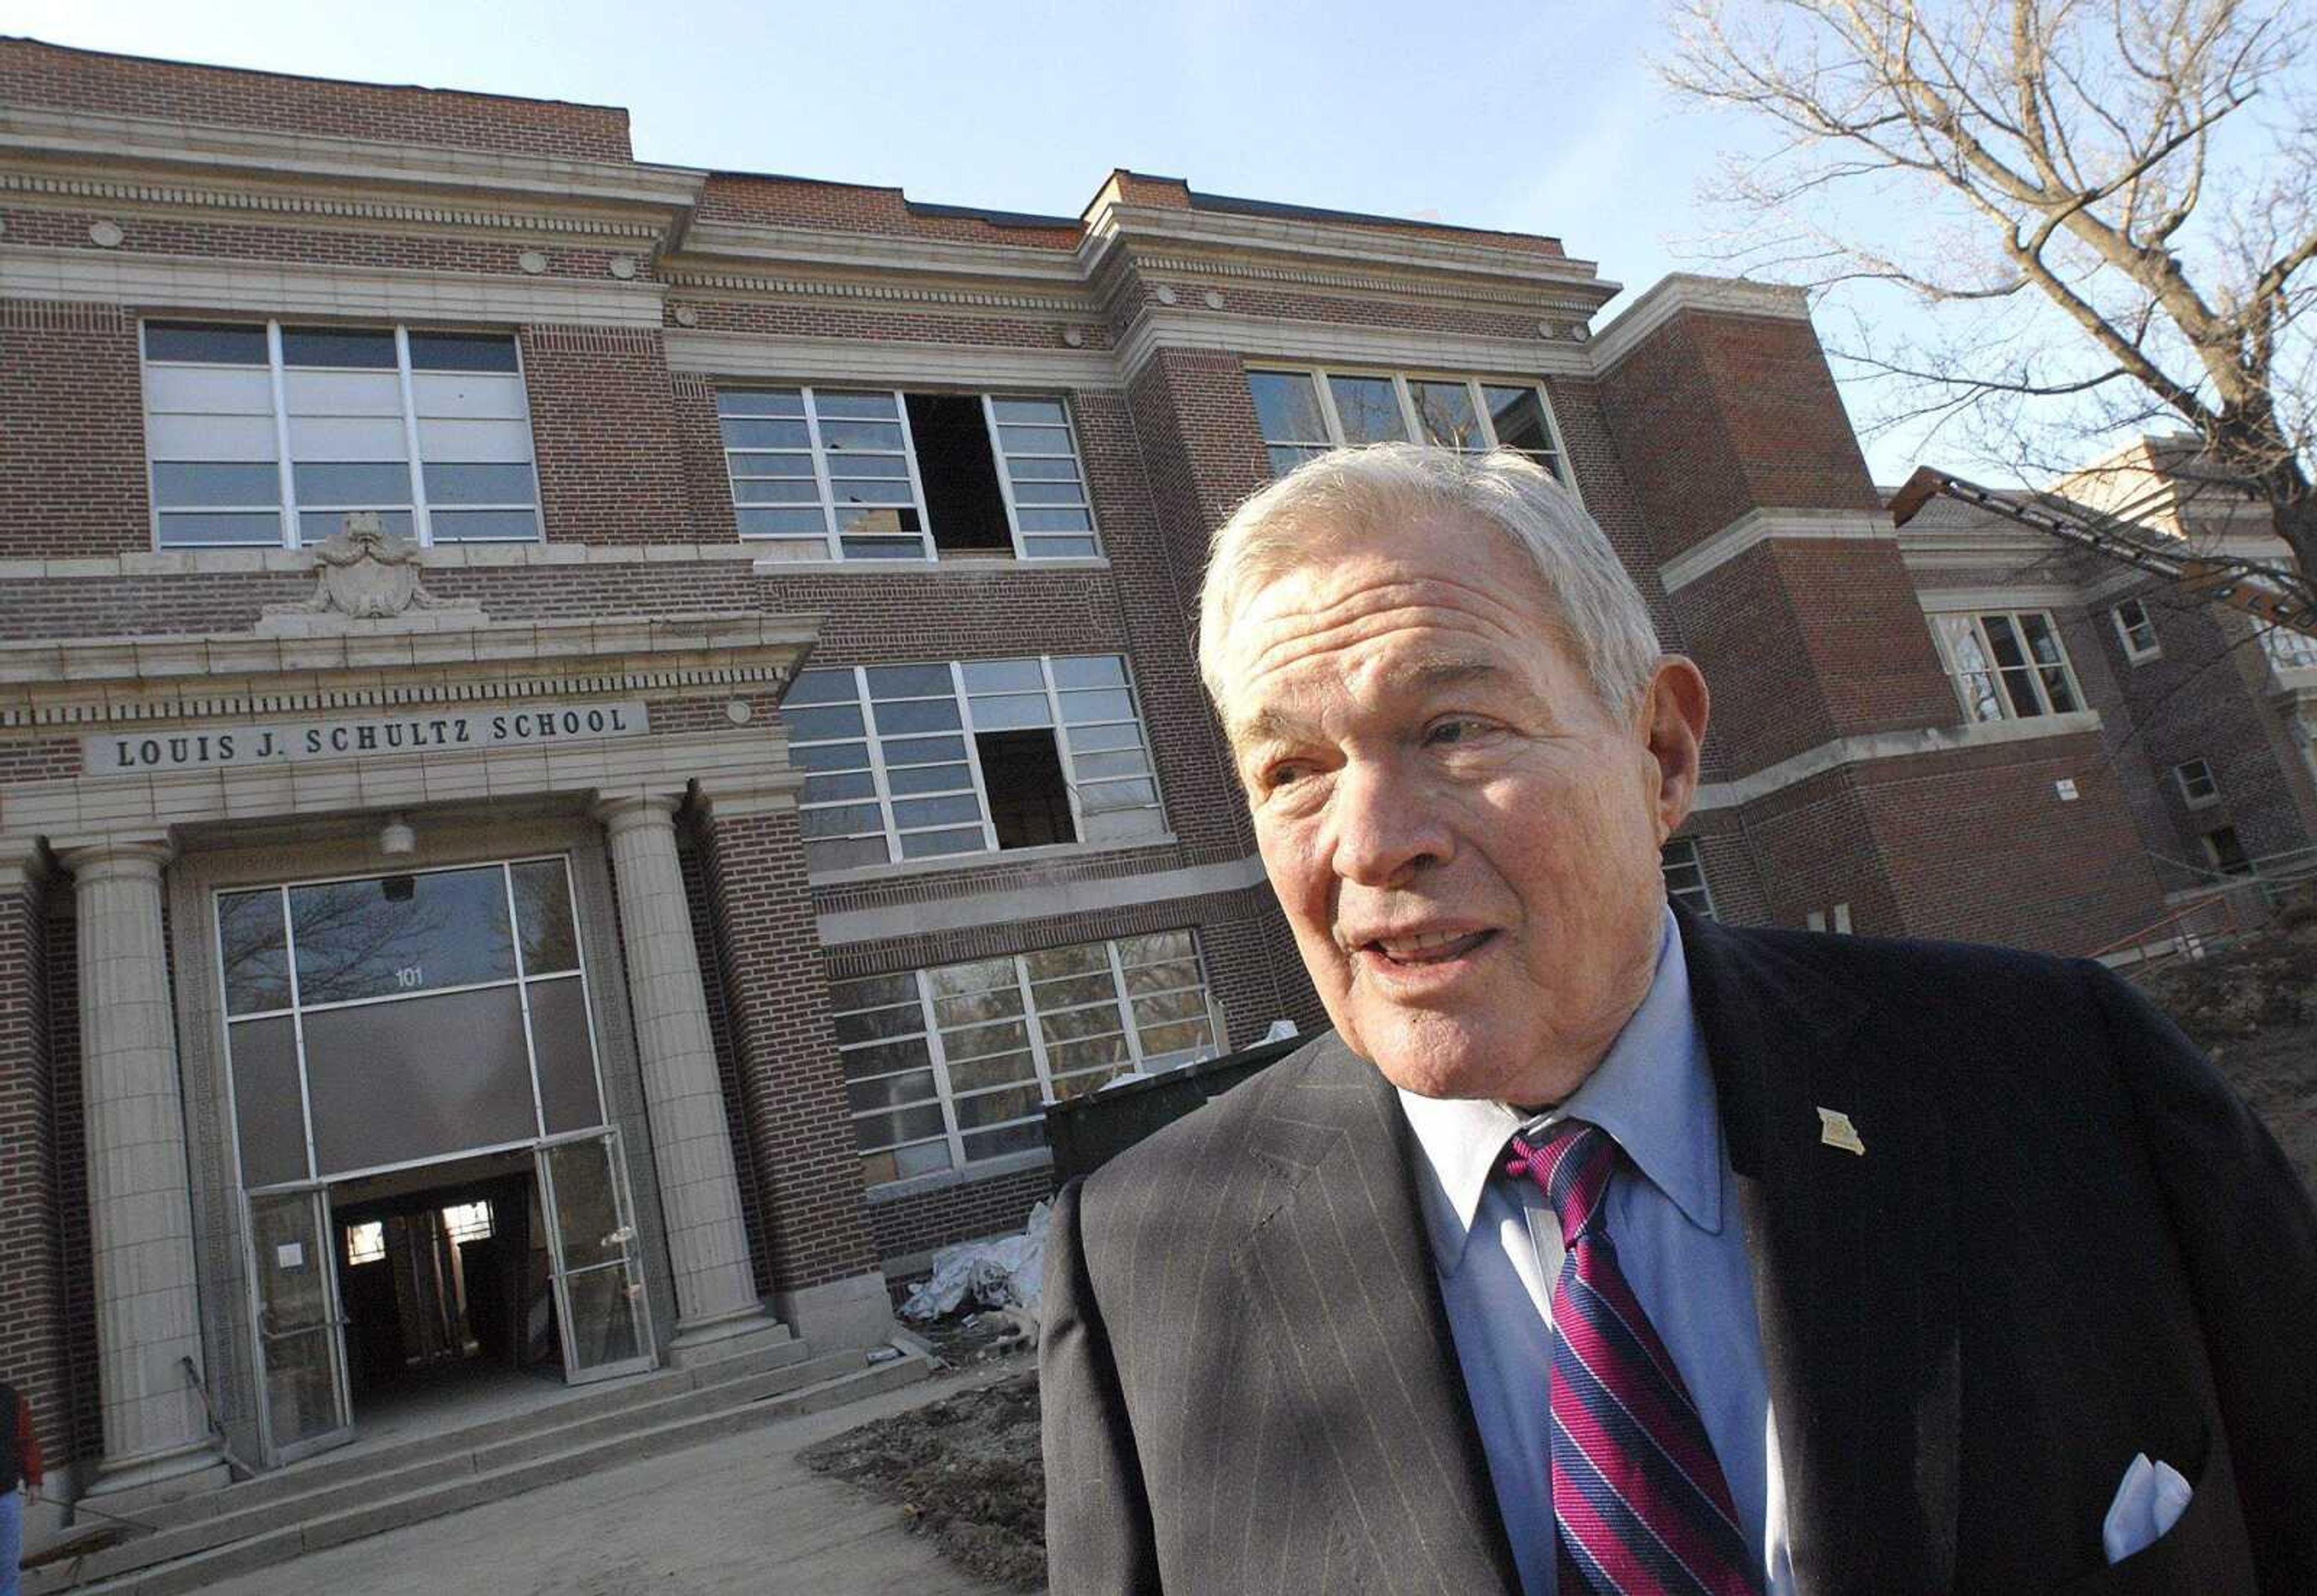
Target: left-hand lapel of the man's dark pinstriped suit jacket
1340	1282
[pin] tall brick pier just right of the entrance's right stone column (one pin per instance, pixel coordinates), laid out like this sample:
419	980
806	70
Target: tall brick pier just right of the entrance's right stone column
777	1002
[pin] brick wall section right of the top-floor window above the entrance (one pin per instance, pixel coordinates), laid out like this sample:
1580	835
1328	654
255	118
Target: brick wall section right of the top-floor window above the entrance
606	434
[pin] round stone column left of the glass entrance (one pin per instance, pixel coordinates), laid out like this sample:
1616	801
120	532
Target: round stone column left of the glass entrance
140	1210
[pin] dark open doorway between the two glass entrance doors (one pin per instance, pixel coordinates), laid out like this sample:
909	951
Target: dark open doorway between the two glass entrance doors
444	1287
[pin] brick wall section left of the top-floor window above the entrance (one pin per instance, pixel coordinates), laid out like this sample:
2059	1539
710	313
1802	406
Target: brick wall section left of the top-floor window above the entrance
73	471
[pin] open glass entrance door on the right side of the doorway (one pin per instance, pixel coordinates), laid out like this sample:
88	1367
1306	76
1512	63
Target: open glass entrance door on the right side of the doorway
592	1250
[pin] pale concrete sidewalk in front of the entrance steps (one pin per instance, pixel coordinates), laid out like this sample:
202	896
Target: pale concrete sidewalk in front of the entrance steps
736	1518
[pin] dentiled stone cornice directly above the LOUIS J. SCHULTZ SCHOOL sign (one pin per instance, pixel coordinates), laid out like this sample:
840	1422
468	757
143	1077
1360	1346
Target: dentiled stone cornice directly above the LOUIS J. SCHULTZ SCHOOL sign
110	680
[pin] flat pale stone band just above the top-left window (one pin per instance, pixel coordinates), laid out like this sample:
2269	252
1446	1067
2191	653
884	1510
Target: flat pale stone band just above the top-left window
295	288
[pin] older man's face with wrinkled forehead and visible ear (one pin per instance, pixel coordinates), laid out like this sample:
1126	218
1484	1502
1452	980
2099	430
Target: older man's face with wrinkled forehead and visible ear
1461	835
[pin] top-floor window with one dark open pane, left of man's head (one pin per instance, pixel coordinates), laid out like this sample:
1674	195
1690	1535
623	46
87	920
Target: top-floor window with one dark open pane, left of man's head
886	476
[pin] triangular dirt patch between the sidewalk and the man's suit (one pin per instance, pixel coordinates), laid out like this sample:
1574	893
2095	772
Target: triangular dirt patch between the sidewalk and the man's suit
965	1472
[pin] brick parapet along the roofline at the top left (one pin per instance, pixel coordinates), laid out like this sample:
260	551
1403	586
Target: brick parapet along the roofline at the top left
45	75
